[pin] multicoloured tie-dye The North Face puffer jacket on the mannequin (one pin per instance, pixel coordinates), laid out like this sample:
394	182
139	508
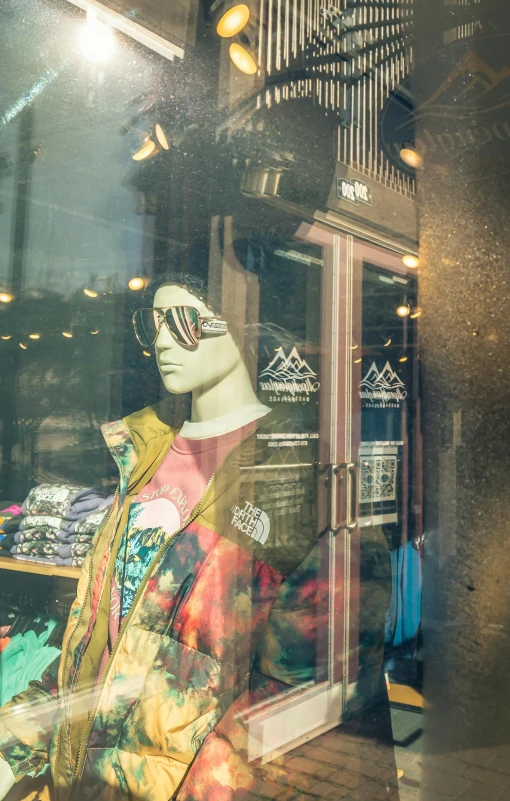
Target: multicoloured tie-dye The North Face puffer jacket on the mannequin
227	618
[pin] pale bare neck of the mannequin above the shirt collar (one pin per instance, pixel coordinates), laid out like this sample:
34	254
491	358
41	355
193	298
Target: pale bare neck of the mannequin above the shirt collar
226	396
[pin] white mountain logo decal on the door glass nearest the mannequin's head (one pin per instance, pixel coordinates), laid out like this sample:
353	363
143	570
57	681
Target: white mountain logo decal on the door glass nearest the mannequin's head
289	375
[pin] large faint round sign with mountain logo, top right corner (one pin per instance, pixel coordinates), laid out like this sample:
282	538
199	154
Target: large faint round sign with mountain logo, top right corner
462	112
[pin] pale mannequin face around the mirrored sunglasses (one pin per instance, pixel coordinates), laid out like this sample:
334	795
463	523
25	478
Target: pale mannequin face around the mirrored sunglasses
187	369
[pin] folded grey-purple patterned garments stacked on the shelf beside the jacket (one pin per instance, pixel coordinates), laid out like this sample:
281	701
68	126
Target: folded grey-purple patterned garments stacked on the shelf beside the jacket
59	523
